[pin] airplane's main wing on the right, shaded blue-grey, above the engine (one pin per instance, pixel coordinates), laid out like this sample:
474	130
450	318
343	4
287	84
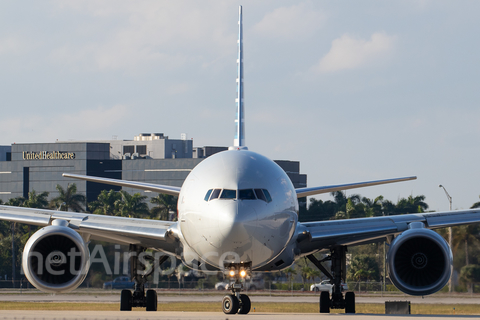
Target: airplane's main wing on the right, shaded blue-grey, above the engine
315	236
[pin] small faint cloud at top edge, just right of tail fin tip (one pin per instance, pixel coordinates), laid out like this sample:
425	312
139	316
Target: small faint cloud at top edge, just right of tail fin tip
290	22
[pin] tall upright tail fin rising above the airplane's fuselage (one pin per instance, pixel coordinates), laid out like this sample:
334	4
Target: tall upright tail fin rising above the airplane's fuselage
239	121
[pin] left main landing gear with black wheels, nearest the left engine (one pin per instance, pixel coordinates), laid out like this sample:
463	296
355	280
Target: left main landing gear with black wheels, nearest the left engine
139	298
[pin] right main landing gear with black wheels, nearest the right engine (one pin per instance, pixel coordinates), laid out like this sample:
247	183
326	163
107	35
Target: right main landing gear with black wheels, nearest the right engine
337	275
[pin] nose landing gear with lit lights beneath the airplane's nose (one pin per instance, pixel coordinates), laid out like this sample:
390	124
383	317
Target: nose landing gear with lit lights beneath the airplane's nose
236	302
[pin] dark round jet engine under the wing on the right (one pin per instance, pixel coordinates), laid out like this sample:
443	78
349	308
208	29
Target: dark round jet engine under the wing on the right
419	261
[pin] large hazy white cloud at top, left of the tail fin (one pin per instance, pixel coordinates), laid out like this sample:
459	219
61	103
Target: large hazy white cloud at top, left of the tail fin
135	36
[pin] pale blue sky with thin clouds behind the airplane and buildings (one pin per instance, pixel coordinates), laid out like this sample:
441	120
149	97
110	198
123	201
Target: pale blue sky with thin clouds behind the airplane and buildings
353	90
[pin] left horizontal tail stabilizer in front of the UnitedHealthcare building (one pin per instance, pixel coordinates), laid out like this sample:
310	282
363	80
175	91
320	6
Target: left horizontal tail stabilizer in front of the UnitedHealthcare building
174	191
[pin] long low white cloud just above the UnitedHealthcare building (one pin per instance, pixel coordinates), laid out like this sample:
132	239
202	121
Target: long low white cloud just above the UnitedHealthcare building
85	124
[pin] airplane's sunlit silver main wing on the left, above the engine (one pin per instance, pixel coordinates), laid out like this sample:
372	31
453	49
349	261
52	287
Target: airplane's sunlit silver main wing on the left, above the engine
144	232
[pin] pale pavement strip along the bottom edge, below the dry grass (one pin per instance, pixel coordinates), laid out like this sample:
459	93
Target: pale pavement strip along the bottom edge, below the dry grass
134	315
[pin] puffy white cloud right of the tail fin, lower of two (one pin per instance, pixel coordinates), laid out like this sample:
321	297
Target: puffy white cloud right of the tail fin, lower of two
348	52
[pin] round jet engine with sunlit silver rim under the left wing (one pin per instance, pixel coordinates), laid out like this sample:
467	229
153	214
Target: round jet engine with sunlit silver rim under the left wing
56	259
